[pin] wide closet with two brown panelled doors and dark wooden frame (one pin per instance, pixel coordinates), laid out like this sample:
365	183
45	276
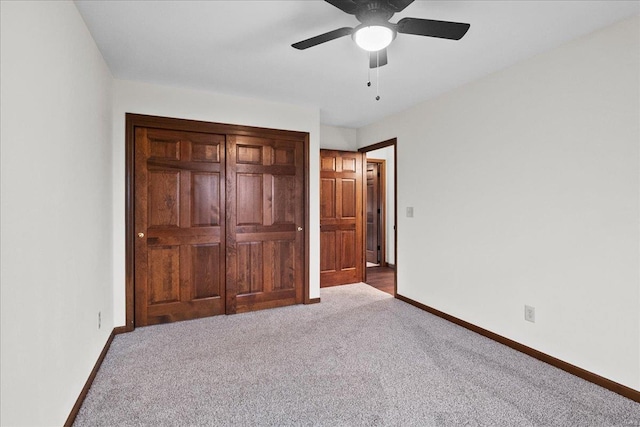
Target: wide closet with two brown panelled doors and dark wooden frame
215	218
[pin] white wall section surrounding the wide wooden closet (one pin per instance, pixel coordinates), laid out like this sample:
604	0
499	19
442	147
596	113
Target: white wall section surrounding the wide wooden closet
142	98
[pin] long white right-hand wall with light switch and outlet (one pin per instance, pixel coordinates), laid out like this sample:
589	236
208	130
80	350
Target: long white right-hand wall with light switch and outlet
526	190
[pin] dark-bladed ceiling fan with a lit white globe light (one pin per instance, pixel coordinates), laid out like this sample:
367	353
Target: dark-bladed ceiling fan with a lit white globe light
375	32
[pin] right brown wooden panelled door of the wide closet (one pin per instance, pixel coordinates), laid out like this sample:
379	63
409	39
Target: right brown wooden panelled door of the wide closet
265	218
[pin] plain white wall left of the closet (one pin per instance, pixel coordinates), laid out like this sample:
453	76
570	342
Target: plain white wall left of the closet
56	210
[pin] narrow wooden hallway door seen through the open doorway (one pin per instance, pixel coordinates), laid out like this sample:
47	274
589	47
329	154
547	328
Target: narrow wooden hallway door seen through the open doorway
374	211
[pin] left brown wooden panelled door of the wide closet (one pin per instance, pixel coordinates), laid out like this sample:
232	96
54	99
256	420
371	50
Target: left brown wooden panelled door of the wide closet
179	218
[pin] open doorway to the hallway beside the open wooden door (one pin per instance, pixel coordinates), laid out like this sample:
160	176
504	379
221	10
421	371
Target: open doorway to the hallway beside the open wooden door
380	216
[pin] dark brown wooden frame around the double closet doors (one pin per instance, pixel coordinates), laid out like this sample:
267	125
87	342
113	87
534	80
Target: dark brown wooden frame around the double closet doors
132	121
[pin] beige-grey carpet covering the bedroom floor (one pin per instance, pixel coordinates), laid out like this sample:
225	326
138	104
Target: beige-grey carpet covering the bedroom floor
359	358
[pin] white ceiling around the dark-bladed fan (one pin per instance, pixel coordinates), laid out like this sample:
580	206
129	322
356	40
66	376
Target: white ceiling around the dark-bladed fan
244	48
